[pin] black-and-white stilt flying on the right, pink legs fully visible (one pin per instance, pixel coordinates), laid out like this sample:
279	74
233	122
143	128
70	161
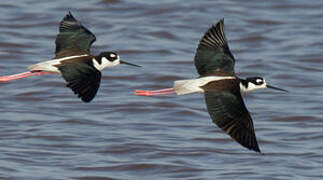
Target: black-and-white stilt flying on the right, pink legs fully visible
222	89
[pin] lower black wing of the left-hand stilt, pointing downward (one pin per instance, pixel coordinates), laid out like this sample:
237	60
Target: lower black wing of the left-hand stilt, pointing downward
82	78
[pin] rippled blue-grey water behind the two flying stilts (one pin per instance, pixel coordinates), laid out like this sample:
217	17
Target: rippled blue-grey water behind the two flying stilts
48	133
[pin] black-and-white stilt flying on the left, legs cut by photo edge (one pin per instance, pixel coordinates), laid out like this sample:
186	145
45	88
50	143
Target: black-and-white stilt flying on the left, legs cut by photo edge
73	61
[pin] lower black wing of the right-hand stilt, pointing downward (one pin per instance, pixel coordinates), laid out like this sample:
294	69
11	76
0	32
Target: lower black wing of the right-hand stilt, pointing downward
229	112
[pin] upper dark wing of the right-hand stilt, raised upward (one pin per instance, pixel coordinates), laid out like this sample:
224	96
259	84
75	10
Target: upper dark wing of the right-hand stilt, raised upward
213	54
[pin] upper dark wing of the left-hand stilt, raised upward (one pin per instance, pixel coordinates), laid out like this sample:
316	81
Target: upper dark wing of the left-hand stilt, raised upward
73	38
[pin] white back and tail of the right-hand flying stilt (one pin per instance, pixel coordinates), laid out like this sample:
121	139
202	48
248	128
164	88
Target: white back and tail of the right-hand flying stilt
194	85
